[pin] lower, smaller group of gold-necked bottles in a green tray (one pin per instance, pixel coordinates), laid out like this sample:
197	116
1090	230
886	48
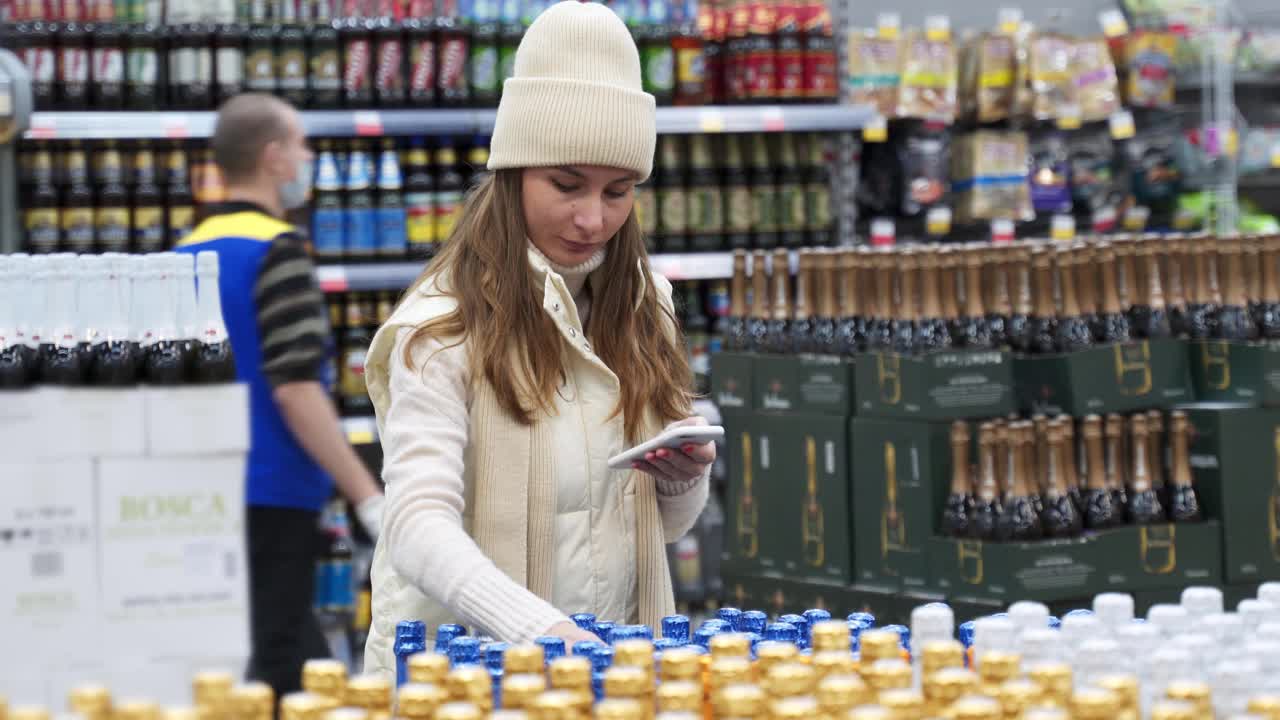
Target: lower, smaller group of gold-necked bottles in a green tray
1055	479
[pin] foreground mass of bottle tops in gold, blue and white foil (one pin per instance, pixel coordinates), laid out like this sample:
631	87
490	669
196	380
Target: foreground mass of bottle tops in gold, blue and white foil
1188	660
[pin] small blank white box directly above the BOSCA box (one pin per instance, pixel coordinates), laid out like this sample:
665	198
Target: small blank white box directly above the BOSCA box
198	421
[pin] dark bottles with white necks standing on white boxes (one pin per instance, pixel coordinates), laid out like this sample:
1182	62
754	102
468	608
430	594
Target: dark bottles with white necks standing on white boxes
112	321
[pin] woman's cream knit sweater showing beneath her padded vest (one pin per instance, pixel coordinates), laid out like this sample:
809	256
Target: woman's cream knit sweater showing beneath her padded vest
426	445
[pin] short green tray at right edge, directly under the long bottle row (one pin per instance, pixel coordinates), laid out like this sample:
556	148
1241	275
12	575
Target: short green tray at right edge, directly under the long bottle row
1236	372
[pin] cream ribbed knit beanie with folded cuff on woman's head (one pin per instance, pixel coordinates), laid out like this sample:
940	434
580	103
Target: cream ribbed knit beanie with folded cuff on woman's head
577	95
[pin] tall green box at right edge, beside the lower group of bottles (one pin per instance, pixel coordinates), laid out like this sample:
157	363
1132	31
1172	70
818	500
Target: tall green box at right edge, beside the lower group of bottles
1236	461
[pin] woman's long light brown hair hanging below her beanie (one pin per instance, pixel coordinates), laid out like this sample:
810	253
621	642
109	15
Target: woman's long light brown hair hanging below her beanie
516	347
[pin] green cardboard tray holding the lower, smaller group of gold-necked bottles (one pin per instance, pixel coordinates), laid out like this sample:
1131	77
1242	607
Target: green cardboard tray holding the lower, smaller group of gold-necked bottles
1123	559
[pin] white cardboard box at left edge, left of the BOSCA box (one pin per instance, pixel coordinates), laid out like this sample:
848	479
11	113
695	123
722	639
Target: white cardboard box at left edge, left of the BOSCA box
49	594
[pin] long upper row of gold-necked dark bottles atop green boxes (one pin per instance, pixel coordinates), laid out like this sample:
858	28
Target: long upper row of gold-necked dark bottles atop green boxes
1030	297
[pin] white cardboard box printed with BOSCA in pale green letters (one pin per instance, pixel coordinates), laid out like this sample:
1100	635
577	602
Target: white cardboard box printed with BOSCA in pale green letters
173	560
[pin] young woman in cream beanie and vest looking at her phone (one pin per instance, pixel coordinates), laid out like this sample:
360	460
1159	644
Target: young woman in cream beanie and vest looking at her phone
534	348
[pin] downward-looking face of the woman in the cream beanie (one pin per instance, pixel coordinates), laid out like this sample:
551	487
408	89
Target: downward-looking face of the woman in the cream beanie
573	211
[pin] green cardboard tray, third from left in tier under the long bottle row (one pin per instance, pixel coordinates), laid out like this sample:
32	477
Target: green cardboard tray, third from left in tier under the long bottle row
939	386
